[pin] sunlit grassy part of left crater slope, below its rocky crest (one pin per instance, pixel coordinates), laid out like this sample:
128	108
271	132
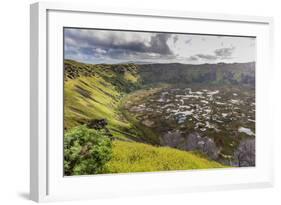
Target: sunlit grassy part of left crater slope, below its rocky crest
93	97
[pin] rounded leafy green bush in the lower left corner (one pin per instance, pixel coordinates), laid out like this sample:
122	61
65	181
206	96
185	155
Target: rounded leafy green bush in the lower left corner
86	151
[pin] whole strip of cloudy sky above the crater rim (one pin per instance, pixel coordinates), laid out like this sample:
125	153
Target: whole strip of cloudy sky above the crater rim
106	46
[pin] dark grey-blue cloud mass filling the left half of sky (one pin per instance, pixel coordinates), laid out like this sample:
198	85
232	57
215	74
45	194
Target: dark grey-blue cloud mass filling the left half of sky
115	45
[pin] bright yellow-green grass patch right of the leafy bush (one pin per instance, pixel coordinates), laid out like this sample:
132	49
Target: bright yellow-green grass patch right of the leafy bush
138	157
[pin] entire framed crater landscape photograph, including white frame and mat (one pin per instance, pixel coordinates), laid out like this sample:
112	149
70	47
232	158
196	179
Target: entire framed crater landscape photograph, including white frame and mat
129	102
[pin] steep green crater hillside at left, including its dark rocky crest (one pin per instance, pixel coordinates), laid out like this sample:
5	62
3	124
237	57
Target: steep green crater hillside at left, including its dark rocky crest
93	92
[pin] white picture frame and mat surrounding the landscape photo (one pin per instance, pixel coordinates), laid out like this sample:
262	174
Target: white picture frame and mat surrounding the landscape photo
46	178
